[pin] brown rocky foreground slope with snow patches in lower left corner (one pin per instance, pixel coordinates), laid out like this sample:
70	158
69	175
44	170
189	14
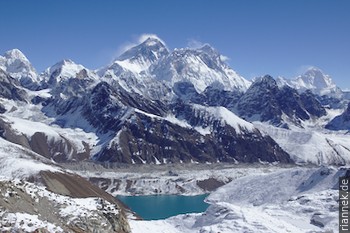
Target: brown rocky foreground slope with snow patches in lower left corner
38	196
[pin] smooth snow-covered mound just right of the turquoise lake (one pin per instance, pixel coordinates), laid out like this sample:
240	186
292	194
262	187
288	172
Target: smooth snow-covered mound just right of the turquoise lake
276	187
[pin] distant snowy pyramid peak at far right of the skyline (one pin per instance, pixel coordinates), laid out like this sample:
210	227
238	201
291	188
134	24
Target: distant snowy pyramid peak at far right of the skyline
313	79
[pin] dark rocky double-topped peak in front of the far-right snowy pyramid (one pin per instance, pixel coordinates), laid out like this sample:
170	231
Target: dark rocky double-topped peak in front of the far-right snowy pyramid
265	101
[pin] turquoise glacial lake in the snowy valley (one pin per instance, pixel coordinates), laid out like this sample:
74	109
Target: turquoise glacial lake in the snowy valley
156	207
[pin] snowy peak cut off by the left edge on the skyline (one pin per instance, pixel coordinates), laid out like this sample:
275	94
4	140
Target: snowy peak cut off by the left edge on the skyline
16	64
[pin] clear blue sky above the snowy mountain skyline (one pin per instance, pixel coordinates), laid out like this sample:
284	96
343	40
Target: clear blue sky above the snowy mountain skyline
277	37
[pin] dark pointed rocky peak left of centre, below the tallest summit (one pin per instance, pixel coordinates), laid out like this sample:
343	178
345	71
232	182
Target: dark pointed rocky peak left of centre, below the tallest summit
103	106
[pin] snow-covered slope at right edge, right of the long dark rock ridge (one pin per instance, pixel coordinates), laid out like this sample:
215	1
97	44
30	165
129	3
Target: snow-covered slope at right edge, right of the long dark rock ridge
307	145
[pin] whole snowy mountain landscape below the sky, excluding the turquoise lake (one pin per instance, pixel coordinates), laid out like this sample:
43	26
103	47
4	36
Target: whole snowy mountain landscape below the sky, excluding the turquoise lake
176	108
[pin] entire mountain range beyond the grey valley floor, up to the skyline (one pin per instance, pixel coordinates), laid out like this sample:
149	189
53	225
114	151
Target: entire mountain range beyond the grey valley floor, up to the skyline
154	105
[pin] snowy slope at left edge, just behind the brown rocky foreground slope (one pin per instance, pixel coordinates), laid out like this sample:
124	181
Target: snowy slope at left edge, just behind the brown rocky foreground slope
26	125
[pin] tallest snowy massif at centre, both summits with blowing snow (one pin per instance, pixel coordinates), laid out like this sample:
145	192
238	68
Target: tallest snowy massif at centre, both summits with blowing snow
151	62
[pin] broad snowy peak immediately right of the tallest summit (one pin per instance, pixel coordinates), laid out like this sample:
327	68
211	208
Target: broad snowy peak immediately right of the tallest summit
202	67
